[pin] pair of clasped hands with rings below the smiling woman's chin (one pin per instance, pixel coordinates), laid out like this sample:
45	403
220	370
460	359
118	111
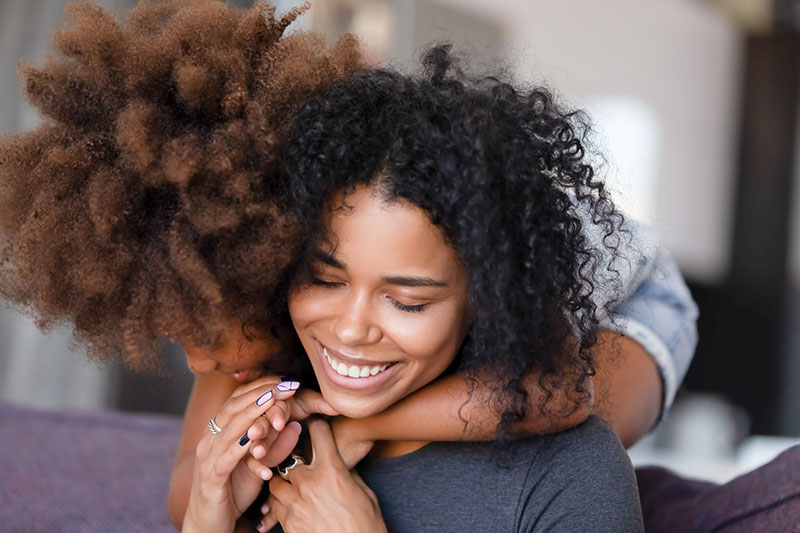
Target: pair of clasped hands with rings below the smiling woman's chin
259	430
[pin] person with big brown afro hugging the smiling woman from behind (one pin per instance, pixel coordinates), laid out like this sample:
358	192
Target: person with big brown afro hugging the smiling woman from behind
145	208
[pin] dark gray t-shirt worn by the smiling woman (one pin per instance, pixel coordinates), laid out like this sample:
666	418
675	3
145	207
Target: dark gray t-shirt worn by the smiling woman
575	481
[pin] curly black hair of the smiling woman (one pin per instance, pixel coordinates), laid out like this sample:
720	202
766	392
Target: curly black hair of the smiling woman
504	172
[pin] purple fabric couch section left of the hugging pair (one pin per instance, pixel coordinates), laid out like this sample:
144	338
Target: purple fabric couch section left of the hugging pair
85	472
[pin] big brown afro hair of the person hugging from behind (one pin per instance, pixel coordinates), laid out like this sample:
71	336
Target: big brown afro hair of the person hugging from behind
145	205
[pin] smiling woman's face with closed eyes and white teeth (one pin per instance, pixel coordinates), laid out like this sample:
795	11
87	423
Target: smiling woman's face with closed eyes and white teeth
386	311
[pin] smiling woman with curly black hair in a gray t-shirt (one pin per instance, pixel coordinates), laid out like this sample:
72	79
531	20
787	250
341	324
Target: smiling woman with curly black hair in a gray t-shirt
444	233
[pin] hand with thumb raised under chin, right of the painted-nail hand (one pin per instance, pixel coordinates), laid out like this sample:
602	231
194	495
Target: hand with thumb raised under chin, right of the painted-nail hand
324	495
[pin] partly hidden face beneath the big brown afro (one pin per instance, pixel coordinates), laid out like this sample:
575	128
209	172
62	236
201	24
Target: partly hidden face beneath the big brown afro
240	356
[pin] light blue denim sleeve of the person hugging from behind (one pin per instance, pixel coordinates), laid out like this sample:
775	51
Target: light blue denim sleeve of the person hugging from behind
654	307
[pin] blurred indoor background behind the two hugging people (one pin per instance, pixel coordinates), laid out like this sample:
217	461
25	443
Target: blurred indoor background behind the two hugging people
695	107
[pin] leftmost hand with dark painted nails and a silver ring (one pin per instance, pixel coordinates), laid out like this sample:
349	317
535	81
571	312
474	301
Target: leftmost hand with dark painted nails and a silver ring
222	485
